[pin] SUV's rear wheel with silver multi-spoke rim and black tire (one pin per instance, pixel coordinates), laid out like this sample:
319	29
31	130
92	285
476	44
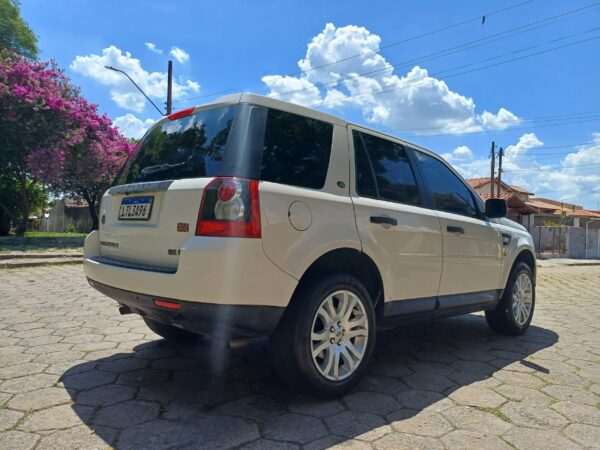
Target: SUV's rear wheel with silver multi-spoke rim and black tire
326	338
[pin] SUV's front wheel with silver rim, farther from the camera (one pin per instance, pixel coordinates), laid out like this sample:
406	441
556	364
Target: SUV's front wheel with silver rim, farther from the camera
514	312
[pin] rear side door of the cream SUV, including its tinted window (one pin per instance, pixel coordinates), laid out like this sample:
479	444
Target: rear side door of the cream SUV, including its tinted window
396	230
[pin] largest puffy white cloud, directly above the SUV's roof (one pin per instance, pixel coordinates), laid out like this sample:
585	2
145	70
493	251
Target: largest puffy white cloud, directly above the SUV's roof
414	101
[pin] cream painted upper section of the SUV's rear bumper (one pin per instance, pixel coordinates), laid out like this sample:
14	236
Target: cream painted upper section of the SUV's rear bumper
219	271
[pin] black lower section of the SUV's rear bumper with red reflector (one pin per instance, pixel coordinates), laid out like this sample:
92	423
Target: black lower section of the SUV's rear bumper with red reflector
221	321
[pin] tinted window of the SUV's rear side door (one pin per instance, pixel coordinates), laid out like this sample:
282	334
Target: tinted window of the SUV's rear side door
388	162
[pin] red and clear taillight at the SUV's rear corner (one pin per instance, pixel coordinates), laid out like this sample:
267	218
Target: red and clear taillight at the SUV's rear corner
229	208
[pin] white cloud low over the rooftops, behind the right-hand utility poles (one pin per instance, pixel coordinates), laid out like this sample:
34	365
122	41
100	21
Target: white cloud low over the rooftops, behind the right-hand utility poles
575	178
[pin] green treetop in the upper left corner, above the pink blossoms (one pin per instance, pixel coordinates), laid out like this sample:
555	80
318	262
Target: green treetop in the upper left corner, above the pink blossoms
15	34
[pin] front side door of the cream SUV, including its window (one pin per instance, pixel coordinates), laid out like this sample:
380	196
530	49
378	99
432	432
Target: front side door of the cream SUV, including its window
472	246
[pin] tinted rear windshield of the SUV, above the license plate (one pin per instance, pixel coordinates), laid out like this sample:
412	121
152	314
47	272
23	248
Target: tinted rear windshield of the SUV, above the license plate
189	147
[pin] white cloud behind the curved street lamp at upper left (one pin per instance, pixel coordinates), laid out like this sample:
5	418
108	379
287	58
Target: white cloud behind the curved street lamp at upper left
122	91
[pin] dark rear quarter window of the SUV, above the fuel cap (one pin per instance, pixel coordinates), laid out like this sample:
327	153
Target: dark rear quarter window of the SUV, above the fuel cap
296	150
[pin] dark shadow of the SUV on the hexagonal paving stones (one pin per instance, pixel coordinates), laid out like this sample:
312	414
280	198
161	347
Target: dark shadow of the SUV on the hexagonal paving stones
206	395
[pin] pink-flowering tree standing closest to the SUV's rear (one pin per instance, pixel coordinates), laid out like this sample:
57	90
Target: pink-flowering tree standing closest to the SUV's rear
87	167
